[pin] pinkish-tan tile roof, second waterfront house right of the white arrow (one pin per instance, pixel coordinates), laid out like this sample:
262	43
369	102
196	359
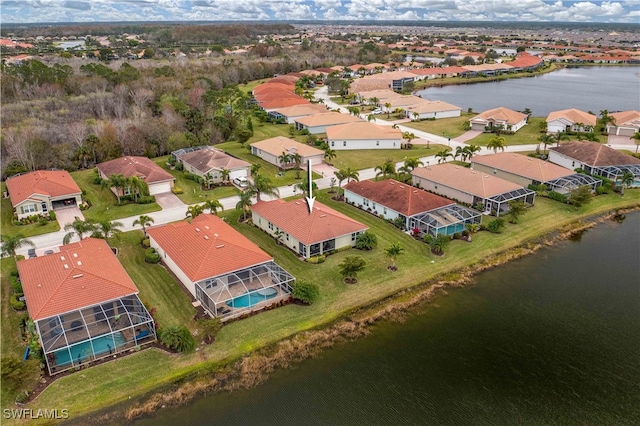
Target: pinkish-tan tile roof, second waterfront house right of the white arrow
466	180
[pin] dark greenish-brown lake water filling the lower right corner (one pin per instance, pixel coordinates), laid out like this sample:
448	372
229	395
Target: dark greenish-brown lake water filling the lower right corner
553	338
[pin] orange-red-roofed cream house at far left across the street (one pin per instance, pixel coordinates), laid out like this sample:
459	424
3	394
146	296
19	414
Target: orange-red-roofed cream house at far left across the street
42	191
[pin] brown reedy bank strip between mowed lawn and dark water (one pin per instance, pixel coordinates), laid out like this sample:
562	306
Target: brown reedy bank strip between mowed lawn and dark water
253	369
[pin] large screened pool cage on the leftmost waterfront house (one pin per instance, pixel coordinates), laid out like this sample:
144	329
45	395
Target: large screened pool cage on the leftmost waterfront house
84	335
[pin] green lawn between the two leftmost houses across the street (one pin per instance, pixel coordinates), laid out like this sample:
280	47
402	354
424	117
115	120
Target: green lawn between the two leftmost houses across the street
104	203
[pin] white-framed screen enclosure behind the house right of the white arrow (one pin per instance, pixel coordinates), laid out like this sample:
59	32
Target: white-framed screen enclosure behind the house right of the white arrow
444	220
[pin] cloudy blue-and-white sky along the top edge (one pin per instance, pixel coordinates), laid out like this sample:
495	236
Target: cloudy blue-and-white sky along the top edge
30	11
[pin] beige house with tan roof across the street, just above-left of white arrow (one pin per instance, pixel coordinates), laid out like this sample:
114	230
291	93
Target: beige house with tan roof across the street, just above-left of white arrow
271	150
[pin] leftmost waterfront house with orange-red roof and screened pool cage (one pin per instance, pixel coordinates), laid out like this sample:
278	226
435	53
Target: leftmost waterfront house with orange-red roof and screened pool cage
84	305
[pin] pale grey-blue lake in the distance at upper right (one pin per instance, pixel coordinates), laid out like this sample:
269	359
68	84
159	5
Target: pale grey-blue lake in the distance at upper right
588	89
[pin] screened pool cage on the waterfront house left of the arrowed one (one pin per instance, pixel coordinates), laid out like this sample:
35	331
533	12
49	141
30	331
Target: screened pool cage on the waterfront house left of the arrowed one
233	294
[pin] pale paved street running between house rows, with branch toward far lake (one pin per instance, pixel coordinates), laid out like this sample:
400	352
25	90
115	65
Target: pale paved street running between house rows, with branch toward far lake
53	240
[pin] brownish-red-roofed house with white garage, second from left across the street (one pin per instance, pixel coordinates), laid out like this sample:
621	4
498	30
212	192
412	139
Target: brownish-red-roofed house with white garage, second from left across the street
158	179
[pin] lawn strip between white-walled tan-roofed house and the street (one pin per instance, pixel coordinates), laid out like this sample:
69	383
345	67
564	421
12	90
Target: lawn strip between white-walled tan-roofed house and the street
364	159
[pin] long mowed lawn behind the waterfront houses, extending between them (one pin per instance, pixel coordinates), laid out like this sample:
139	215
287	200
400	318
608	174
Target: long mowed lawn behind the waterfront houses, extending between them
135	375
